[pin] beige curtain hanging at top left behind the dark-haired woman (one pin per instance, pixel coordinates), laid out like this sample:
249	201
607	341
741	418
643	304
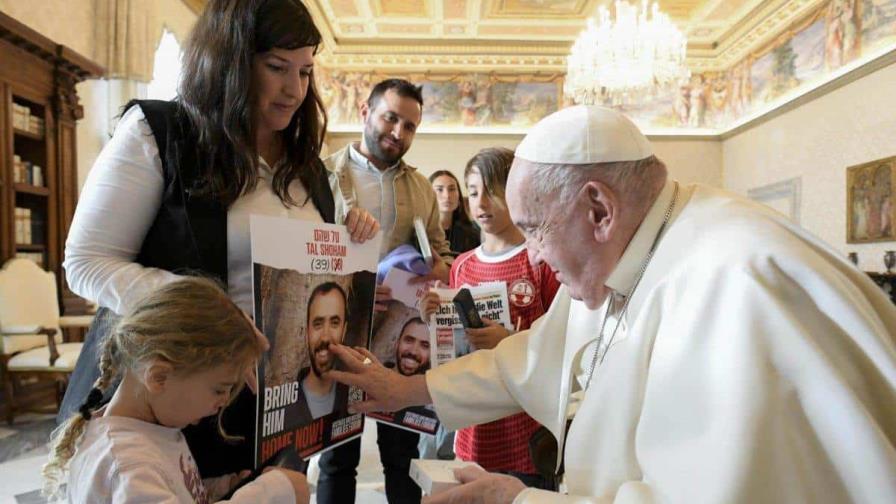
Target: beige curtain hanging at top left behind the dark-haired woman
127	33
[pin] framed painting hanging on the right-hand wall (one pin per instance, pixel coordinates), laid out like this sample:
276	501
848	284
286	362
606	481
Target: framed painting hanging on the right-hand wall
871	202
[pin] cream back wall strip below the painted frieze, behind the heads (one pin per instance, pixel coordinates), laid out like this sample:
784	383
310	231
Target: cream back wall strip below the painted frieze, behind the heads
688	160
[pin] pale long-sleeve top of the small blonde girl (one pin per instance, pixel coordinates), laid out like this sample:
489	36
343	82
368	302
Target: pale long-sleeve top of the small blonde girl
124	460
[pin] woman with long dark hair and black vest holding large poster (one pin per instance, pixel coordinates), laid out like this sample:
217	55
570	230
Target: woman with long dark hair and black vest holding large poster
173	189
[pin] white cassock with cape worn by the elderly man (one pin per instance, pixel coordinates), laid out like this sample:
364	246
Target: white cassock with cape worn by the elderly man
753	365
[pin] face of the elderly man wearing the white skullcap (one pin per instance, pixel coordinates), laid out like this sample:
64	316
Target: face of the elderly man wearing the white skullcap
561	237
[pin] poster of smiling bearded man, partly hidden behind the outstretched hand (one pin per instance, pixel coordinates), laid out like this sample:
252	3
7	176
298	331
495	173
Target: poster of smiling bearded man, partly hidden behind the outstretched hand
400	340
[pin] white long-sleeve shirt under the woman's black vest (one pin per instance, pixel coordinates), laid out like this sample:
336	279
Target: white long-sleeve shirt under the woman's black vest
118	205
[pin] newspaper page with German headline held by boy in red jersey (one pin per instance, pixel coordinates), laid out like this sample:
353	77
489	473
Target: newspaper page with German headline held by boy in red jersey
448	337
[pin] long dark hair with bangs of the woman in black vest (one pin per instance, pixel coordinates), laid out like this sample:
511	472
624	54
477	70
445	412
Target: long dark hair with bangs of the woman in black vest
215	94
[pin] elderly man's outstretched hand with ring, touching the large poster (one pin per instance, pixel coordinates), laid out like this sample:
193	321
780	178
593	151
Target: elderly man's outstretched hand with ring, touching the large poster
386	390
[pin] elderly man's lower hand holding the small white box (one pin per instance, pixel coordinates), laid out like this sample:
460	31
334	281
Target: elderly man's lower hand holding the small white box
479	487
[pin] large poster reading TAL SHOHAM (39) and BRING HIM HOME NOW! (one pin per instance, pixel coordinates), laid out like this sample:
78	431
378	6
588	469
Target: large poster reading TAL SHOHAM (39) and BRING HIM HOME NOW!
313	287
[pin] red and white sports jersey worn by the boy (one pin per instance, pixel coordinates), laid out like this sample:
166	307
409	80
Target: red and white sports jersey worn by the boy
503	445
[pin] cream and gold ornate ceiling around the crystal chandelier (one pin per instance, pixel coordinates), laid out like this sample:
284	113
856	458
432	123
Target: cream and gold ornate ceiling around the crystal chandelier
525	35
